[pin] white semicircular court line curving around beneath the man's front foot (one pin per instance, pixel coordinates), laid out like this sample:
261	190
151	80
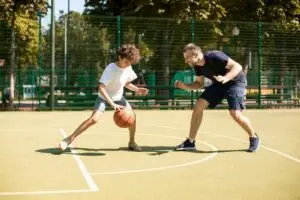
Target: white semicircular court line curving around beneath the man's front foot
165	167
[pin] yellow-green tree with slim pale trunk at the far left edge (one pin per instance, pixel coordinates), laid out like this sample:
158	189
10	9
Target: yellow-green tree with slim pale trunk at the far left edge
21	17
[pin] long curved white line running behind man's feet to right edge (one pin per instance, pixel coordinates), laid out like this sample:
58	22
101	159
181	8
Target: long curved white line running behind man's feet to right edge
234	138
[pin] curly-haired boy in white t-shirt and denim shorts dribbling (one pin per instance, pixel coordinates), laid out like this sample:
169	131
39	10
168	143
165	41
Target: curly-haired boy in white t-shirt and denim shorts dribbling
115	77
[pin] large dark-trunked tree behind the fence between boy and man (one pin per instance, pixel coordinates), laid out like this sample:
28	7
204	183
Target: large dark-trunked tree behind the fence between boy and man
176	9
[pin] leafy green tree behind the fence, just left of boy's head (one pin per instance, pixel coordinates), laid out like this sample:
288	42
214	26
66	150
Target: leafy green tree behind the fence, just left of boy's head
88	50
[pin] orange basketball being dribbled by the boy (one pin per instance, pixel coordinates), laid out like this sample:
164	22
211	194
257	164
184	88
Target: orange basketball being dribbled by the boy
124	118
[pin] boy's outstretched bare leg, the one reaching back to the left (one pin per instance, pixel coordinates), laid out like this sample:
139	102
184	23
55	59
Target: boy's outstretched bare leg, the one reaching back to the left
81	128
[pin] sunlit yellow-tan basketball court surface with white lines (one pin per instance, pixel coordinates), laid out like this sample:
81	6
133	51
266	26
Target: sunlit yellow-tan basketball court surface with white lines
99	166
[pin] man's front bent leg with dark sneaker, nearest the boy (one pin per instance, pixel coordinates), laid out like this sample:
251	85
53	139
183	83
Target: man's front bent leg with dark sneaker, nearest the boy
189	143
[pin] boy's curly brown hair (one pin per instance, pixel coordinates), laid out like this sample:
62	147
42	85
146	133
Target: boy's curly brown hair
130	52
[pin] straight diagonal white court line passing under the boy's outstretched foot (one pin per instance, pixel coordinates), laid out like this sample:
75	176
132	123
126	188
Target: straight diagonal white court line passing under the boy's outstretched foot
87	177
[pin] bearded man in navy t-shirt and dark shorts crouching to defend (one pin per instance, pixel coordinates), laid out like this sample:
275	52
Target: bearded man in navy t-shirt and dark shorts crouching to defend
229	82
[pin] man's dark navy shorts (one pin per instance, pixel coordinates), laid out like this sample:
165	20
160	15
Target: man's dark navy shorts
234	94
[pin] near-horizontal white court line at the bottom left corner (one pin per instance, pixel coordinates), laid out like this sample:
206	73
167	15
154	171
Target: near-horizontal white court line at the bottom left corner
43	192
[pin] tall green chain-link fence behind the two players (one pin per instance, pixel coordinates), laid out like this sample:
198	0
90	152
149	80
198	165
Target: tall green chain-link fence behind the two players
85	45
